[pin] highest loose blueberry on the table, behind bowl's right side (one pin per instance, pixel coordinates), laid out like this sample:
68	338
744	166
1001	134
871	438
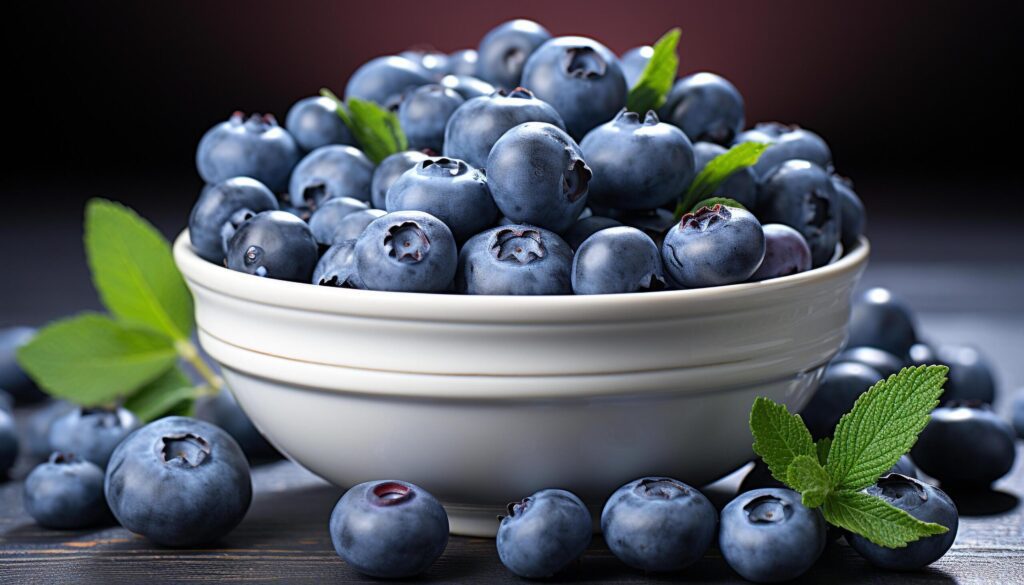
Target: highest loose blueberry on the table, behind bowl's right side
879	320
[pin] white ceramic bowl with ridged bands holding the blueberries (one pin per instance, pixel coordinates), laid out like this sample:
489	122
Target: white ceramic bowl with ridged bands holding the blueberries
485	400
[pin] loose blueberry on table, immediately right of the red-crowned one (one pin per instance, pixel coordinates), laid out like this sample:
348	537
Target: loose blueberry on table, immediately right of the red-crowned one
544	533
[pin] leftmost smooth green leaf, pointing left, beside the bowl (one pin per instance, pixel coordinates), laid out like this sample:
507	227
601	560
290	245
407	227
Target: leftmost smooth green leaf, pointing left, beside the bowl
93	360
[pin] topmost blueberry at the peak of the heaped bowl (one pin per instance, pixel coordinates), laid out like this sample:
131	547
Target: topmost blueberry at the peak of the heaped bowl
504	52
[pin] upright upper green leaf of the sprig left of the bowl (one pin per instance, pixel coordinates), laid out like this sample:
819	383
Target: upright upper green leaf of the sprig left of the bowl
134	270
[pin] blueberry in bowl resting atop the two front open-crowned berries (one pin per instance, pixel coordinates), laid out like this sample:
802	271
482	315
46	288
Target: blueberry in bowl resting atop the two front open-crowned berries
451	191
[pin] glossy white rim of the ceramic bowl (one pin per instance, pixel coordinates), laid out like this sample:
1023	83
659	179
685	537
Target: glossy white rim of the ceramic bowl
496	309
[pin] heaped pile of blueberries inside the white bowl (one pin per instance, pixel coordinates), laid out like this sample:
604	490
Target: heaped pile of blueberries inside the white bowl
527	175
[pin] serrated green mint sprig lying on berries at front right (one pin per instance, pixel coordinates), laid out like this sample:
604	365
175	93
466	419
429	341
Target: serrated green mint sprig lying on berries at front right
832	474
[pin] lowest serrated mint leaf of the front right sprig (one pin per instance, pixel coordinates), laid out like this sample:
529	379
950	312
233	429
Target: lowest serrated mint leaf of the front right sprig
876	520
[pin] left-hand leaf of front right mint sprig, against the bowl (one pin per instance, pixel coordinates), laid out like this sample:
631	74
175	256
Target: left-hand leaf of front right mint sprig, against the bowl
779	437
